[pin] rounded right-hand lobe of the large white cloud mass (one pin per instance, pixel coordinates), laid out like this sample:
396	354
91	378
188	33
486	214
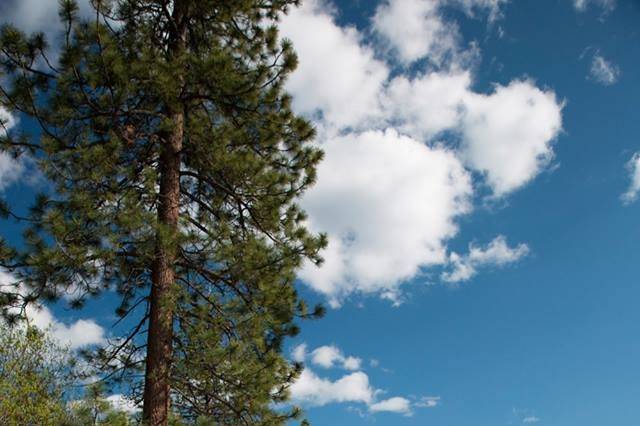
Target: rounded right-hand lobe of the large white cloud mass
508	135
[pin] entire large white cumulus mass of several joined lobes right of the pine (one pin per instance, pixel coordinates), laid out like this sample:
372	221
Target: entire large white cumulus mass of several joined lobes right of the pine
390	192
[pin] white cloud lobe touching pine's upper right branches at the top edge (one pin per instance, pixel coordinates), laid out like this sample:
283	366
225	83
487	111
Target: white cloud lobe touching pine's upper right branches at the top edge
337	74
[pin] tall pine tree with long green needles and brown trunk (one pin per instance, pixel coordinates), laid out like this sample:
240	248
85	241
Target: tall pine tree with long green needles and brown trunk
176	163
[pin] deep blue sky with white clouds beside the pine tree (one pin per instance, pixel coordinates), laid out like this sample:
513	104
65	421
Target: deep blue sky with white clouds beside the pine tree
479	195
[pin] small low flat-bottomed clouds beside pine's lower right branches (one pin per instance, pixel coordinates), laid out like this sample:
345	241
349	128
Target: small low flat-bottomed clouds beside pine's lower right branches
353	387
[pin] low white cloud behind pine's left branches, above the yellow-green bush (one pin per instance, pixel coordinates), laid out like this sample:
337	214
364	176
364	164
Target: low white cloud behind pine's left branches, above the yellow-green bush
76	335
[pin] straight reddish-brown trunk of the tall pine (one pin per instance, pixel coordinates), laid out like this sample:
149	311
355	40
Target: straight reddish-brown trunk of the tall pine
160	335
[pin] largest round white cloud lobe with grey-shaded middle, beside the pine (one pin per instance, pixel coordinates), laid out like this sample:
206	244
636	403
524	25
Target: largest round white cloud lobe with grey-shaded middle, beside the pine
388	203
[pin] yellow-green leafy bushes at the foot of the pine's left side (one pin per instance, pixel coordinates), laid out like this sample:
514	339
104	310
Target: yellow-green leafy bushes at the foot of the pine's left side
38	381
